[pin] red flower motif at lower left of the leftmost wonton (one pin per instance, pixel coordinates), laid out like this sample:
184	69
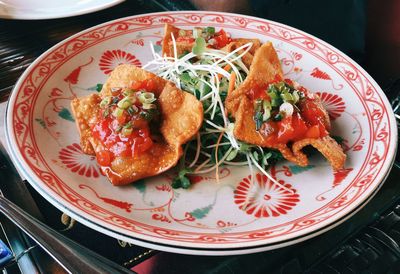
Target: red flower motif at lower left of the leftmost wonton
73	158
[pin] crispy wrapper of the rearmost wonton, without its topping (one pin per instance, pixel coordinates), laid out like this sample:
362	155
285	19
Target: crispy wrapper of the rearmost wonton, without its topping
186	45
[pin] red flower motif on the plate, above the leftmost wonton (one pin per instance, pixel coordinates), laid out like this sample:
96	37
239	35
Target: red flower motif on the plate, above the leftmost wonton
112	58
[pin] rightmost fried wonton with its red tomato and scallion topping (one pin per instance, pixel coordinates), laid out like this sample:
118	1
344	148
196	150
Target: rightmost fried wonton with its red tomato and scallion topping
277	113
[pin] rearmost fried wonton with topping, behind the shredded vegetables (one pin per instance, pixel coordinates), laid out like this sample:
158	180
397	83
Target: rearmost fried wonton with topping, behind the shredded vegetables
184	40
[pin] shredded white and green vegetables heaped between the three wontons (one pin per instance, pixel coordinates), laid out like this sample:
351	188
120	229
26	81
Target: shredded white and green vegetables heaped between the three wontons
207	79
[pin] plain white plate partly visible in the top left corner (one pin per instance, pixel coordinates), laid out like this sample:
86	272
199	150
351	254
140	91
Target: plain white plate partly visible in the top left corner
44	9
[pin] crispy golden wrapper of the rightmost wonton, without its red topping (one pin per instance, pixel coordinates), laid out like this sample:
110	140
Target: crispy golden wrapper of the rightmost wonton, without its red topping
264	69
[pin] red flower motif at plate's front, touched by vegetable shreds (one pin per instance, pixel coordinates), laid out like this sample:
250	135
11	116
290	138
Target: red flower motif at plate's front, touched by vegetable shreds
263	198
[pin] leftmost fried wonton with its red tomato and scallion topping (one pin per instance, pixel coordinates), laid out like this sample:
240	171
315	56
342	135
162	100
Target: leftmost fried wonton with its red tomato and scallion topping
137	124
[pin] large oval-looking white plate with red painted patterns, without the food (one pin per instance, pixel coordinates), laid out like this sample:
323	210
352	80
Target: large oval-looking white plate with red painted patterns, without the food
207	218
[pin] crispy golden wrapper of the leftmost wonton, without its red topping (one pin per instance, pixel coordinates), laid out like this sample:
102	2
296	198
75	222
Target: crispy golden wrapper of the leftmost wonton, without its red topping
181	118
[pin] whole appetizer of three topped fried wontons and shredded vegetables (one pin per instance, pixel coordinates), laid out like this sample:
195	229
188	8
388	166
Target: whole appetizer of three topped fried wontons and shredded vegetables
224	100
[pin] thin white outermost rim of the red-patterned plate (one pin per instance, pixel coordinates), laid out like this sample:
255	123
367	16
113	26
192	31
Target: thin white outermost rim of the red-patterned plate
359	68
